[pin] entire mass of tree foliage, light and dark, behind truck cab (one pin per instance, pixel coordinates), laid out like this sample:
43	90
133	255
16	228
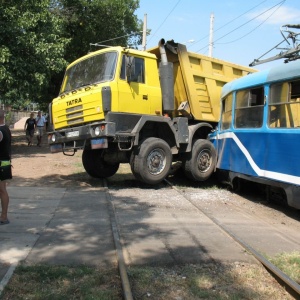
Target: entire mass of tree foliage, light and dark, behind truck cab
39	38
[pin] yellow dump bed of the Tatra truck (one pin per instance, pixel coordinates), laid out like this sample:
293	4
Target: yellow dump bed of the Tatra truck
198	80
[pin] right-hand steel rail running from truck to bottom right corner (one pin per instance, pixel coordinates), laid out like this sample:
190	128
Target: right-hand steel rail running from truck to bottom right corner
293	287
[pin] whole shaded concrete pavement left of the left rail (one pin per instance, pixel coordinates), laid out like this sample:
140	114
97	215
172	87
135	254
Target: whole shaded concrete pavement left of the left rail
56	225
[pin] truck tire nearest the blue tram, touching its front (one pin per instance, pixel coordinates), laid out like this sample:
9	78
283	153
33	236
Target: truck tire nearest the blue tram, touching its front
199	164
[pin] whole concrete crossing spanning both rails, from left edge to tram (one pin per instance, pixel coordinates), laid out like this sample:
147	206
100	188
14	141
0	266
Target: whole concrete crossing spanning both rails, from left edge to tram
71	226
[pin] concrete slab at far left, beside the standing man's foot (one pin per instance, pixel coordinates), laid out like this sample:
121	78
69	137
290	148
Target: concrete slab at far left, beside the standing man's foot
30	210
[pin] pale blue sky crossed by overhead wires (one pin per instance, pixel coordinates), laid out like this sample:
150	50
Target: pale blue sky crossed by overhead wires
242	30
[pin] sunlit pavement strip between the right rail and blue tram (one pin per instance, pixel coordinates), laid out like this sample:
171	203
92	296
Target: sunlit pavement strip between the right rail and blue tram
249	226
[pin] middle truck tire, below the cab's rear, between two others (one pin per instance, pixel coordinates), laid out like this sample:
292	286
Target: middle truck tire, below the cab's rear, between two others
153	161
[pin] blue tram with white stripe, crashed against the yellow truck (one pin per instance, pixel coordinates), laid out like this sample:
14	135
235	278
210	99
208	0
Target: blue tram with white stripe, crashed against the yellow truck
258	136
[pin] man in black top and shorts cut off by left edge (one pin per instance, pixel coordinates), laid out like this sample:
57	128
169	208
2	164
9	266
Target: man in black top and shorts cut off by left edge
5	167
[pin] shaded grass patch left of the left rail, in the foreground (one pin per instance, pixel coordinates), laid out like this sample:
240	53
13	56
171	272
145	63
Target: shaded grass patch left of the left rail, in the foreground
62	282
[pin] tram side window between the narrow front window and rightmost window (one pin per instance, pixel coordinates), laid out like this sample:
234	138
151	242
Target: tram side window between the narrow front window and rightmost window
249	108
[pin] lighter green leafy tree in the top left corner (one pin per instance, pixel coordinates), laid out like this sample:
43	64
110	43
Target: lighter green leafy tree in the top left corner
32	50
